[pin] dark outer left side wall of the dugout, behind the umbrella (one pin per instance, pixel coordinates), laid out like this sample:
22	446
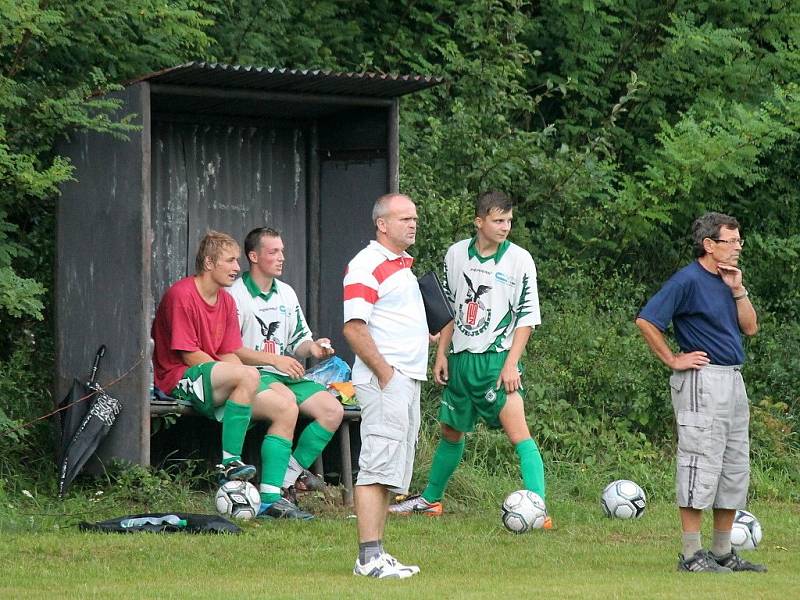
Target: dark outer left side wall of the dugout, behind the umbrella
103	273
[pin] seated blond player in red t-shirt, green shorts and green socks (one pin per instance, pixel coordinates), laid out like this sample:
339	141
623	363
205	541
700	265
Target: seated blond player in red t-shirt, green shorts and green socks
196	335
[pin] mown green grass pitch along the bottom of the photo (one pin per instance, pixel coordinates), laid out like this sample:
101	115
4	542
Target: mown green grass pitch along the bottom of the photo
463	555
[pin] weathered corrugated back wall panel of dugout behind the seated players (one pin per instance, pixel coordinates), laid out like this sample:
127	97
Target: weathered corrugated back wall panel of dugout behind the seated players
231	178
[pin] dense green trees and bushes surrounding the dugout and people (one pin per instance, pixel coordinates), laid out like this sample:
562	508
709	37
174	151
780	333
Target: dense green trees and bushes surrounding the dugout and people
614	123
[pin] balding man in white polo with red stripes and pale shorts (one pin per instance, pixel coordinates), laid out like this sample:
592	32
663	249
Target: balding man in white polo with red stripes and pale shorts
384	323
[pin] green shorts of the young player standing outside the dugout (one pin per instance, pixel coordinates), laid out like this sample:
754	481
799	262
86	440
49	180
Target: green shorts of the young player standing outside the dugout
470	392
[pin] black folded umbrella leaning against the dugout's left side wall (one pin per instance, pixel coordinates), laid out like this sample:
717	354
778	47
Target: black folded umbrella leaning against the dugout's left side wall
87	416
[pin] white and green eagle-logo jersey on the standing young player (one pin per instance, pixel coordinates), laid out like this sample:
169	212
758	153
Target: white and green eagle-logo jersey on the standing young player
491	296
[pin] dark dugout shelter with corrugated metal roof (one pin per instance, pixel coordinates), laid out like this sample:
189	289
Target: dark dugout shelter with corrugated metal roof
222	147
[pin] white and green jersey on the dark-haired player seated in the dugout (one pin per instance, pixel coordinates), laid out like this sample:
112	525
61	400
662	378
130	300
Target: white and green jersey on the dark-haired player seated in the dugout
269	321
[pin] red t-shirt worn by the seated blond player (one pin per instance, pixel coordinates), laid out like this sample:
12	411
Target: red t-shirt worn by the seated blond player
185	322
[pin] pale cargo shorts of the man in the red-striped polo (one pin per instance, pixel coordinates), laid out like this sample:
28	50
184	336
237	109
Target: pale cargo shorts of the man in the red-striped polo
390	420
